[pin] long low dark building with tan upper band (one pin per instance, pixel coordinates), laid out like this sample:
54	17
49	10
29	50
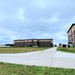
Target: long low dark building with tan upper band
33	42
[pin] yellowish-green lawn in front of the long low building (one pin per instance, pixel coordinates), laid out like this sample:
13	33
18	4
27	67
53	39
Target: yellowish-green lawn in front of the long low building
21	49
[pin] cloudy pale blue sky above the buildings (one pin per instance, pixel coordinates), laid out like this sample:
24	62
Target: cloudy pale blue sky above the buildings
27	19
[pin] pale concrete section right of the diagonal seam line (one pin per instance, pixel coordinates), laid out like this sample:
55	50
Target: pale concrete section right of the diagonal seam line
64	60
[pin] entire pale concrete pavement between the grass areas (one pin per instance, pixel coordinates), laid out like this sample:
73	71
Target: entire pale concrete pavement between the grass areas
49	57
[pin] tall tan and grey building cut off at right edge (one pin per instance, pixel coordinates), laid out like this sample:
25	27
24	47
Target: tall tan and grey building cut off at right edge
71	35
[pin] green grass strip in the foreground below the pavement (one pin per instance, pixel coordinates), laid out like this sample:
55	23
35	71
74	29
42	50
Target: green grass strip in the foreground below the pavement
15	69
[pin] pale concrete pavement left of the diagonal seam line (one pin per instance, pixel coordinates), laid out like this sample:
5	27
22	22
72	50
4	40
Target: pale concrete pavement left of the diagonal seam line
39	58
